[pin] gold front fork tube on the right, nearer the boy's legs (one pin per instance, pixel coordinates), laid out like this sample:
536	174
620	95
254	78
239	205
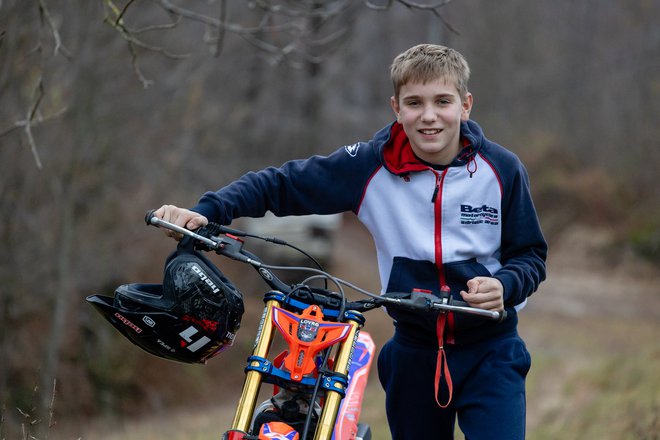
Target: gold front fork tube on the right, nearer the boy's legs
333	399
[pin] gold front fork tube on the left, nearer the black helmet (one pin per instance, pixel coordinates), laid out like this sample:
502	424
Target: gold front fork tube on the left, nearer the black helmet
248	401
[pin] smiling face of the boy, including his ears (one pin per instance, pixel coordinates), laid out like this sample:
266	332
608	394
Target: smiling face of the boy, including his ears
431	115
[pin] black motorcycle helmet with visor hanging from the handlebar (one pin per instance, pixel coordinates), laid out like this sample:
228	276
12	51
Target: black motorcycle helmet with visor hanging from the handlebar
190	318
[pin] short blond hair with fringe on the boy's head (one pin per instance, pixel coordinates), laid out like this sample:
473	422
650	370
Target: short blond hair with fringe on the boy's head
428	62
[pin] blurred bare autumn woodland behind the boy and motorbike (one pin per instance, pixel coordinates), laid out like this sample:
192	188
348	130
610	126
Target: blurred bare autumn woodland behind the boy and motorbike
110	108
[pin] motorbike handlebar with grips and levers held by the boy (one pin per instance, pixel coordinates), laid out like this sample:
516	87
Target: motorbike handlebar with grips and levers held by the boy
231	246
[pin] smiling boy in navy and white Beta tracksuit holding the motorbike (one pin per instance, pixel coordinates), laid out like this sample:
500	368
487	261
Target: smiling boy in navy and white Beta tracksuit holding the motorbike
446	207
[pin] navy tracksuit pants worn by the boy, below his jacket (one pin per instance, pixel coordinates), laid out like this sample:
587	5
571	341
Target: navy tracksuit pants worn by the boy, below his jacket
488	389
